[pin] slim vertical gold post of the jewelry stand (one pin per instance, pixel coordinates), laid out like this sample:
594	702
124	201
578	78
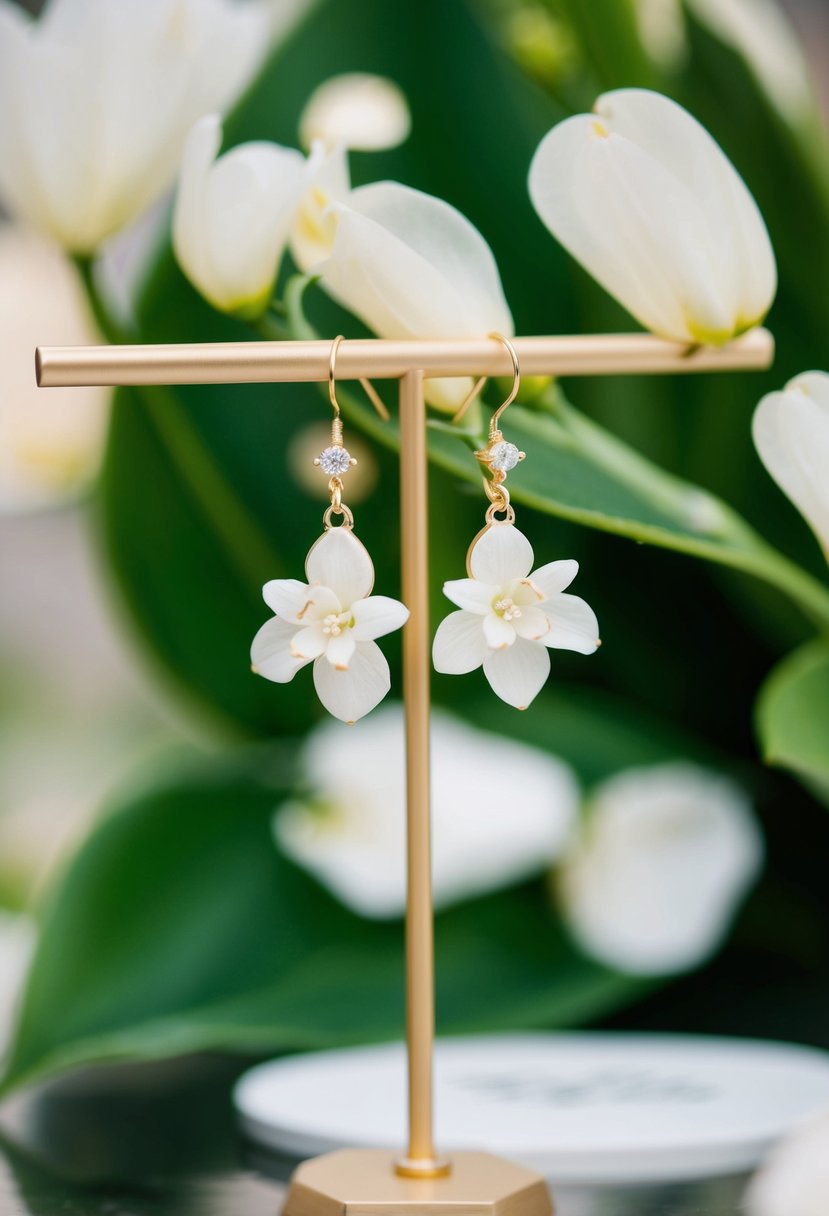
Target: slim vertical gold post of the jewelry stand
421	1161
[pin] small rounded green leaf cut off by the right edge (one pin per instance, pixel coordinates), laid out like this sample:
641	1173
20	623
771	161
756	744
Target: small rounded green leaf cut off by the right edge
793	714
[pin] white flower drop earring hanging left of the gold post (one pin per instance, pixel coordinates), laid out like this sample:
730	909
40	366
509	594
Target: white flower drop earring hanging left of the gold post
332	620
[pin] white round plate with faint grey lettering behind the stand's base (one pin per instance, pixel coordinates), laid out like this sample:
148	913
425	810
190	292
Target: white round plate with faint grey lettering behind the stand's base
580	1108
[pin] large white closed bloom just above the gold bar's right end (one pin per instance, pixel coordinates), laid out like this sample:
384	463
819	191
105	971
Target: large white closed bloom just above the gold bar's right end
651	206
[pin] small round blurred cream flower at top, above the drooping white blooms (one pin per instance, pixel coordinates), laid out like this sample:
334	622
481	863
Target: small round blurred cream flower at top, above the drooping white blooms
357	111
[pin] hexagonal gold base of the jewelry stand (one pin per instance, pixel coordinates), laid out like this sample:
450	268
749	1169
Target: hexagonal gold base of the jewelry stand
363	1183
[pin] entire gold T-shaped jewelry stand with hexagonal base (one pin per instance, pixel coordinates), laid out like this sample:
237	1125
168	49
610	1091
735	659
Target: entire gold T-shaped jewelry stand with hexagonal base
374	1181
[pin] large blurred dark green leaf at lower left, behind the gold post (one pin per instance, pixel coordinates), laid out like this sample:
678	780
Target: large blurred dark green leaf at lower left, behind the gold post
181	928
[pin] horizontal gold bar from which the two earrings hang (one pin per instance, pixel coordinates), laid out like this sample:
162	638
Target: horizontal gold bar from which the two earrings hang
239	363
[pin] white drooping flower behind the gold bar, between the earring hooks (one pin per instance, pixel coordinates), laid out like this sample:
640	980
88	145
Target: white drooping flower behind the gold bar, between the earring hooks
413	267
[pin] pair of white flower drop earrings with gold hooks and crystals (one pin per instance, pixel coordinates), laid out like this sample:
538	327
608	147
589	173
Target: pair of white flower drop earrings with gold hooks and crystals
509	616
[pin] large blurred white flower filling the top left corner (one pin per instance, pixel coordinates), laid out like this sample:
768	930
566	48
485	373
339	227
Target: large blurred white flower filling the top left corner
99	95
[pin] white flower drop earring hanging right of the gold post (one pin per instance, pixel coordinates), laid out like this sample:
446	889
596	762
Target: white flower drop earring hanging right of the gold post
510	618
